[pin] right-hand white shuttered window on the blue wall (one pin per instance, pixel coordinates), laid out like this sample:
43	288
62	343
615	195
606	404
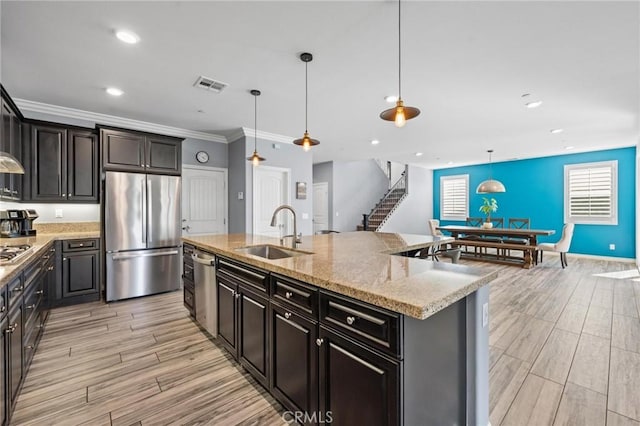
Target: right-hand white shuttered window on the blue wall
591	193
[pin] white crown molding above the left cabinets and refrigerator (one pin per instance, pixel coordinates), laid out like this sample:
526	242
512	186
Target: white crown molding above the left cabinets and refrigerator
113	120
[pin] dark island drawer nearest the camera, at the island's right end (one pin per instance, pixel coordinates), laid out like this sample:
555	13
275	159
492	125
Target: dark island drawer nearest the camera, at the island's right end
369	324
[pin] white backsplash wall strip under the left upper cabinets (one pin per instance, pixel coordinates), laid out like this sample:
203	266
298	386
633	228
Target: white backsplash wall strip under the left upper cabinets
47	212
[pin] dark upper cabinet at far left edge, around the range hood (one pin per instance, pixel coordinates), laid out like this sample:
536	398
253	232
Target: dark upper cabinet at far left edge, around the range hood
10	142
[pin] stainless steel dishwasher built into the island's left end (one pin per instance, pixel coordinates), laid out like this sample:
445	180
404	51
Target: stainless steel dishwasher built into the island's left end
204	277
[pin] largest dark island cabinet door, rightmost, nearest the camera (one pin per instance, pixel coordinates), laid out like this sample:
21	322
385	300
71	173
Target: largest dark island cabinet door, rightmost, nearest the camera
357	385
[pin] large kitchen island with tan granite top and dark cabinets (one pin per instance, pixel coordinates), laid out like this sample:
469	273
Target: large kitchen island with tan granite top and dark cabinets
353	329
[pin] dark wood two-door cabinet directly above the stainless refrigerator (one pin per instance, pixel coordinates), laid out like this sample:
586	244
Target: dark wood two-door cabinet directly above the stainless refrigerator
139	152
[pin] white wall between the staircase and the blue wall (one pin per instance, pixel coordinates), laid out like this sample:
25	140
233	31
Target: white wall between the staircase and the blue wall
412	214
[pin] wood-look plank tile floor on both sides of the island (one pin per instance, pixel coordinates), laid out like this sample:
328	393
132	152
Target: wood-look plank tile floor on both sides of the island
565	349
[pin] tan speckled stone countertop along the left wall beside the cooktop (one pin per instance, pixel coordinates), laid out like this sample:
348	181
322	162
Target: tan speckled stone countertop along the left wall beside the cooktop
40	244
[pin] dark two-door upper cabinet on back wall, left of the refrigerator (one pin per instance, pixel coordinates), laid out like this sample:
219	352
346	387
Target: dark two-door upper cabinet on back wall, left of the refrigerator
64	164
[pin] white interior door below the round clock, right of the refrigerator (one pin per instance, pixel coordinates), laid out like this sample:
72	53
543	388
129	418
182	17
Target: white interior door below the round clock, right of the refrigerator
204	200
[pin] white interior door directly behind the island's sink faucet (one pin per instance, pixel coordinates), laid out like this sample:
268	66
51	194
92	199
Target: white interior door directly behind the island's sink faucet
271	189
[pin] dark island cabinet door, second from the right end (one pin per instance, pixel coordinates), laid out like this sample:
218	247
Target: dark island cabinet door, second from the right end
294	364
